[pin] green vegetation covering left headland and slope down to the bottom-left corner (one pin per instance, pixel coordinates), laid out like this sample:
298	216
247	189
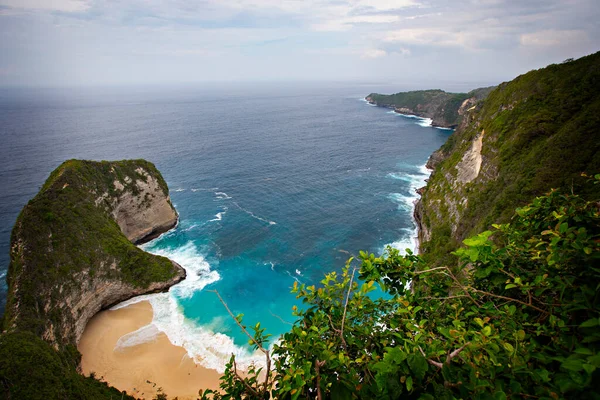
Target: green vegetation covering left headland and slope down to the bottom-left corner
64	242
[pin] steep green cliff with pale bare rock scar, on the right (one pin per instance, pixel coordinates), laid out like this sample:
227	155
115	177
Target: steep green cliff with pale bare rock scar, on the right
532	134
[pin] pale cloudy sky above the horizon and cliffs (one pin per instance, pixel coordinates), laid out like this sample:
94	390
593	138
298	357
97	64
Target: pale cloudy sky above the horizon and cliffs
53	43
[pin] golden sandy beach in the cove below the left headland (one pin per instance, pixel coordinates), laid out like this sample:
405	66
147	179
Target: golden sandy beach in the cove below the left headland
141	369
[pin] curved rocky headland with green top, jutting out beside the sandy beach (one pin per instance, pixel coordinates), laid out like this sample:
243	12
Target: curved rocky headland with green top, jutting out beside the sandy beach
72	252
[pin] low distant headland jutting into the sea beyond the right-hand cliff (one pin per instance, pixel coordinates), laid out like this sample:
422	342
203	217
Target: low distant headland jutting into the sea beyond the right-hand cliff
445	109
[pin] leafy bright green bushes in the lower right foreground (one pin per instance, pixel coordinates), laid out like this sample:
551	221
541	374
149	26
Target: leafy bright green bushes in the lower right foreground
519	318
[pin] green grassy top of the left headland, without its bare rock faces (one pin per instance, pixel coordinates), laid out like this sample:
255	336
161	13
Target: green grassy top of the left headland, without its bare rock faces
66	239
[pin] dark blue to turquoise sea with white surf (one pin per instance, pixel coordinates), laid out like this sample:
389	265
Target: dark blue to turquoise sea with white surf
273	184
